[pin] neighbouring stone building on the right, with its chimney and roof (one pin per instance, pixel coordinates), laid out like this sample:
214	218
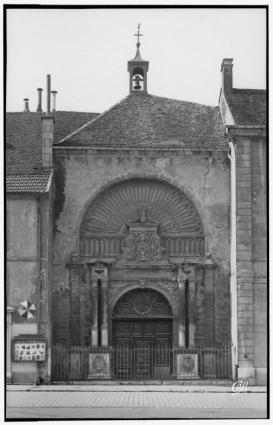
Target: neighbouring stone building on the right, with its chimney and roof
244	114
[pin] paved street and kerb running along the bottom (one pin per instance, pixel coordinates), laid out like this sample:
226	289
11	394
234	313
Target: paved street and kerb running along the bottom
131	402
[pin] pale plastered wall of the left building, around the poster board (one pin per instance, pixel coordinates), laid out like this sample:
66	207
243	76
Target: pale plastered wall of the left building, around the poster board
28	273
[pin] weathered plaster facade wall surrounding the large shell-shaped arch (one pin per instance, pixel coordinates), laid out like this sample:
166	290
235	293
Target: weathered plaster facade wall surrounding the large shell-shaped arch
205	180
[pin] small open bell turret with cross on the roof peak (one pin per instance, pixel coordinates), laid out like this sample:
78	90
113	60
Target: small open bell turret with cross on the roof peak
138	69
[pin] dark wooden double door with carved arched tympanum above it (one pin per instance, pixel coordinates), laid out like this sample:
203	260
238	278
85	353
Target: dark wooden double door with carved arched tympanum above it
142	335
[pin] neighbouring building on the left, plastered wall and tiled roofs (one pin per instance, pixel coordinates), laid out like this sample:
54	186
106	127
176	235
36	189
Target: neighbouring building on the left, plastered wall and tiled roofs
29	194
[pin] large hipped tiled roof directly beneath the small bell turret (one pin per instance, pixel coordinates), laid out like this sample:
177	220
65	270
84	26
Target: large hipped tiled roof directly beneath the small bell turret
146	121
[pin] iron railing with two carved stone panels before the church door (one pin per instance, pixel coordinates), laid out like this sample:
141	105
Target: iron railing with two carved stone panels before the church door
140	364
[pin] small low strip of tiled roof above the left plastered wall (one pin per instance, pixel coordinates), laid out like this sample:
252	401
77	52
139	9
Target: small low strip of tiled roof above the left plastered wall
28	183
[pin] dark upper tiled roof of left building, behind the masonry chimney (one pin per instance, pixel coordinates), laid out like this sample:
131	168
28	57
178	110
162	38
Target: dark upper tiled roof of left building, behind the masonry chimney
24	137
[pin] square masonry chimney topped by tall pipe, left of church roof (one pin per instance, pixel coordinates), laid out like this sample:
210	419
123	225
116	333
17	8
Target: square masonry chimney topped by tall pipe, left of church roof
48	132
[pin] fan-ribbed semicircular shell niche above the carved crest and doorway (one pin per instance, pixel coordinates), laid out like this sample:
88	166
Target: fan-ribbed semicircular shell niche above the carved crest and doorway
104	224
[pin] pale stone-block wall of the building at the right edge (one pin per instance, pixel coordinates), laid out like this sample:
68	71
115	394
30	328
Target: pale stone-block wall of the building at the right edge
251	257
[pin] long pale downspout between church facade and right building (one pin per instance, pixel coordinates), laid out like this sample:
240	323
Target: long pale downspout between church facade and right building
233	261
